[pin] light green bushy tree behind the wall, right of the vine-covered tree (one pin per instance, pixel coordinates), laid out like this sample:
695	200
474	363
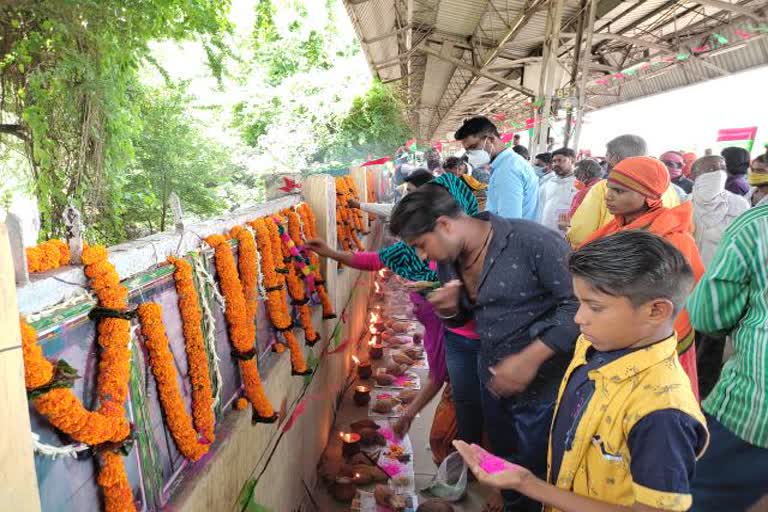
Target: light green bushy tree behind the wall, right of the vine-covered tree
171	156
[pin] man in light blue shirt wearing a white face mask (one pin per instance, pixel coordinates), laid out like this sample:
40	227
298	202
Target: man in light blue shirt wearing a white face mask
513	190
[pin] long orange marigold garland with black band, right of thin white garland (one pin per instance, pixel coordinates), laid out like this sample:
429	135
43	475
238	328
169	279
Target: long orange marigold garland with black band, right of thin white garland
241	334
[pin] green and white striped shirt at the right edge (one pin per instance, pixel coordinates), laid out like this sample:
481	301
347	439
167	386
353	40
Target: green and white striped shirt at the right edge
732	297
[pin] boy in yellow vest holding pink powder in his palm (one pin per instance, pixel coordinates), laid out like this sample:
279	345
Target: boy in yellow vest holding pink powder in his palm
627	429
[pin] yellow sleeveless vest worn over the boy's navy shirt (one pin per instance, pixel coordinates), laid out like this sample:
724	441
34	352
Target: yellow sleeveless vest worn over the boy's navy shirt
627	390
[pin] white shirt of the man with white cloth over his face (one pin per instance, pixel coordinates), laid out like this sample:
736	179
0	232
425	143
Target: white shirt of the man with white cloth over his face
714	208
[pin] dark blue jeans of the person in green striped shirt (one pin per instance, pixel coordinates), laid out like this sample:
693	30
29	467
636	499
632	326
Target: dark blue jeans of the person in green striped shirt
732	475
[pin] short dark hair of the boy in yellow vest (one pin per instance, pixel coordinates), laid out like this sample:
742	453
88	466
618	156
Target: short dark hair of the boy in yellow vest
634	264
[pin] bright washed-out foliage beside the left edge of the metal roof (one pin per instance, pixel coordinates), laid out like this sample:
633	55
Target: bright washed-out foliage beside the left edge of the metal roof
308	97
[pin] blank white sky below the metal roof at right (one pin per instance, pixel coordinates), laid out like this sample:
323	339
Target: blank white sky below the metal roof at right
687	118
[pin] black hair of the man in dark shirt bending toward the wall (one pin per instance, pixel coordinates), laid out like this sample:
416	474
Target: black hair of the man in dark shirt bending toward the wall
416	213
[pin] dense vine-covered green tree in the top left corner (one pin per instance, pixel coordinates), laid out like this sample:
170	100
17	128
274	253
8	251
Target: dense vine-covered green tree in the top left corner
65	74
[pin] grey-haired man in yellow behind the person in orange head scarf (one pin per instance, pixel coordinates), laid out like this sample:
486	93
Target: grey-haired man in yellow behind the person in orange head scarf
593	212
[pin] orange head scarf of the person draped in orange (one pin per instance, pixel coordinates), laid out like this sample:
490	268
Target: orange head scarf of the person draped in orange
644	175
